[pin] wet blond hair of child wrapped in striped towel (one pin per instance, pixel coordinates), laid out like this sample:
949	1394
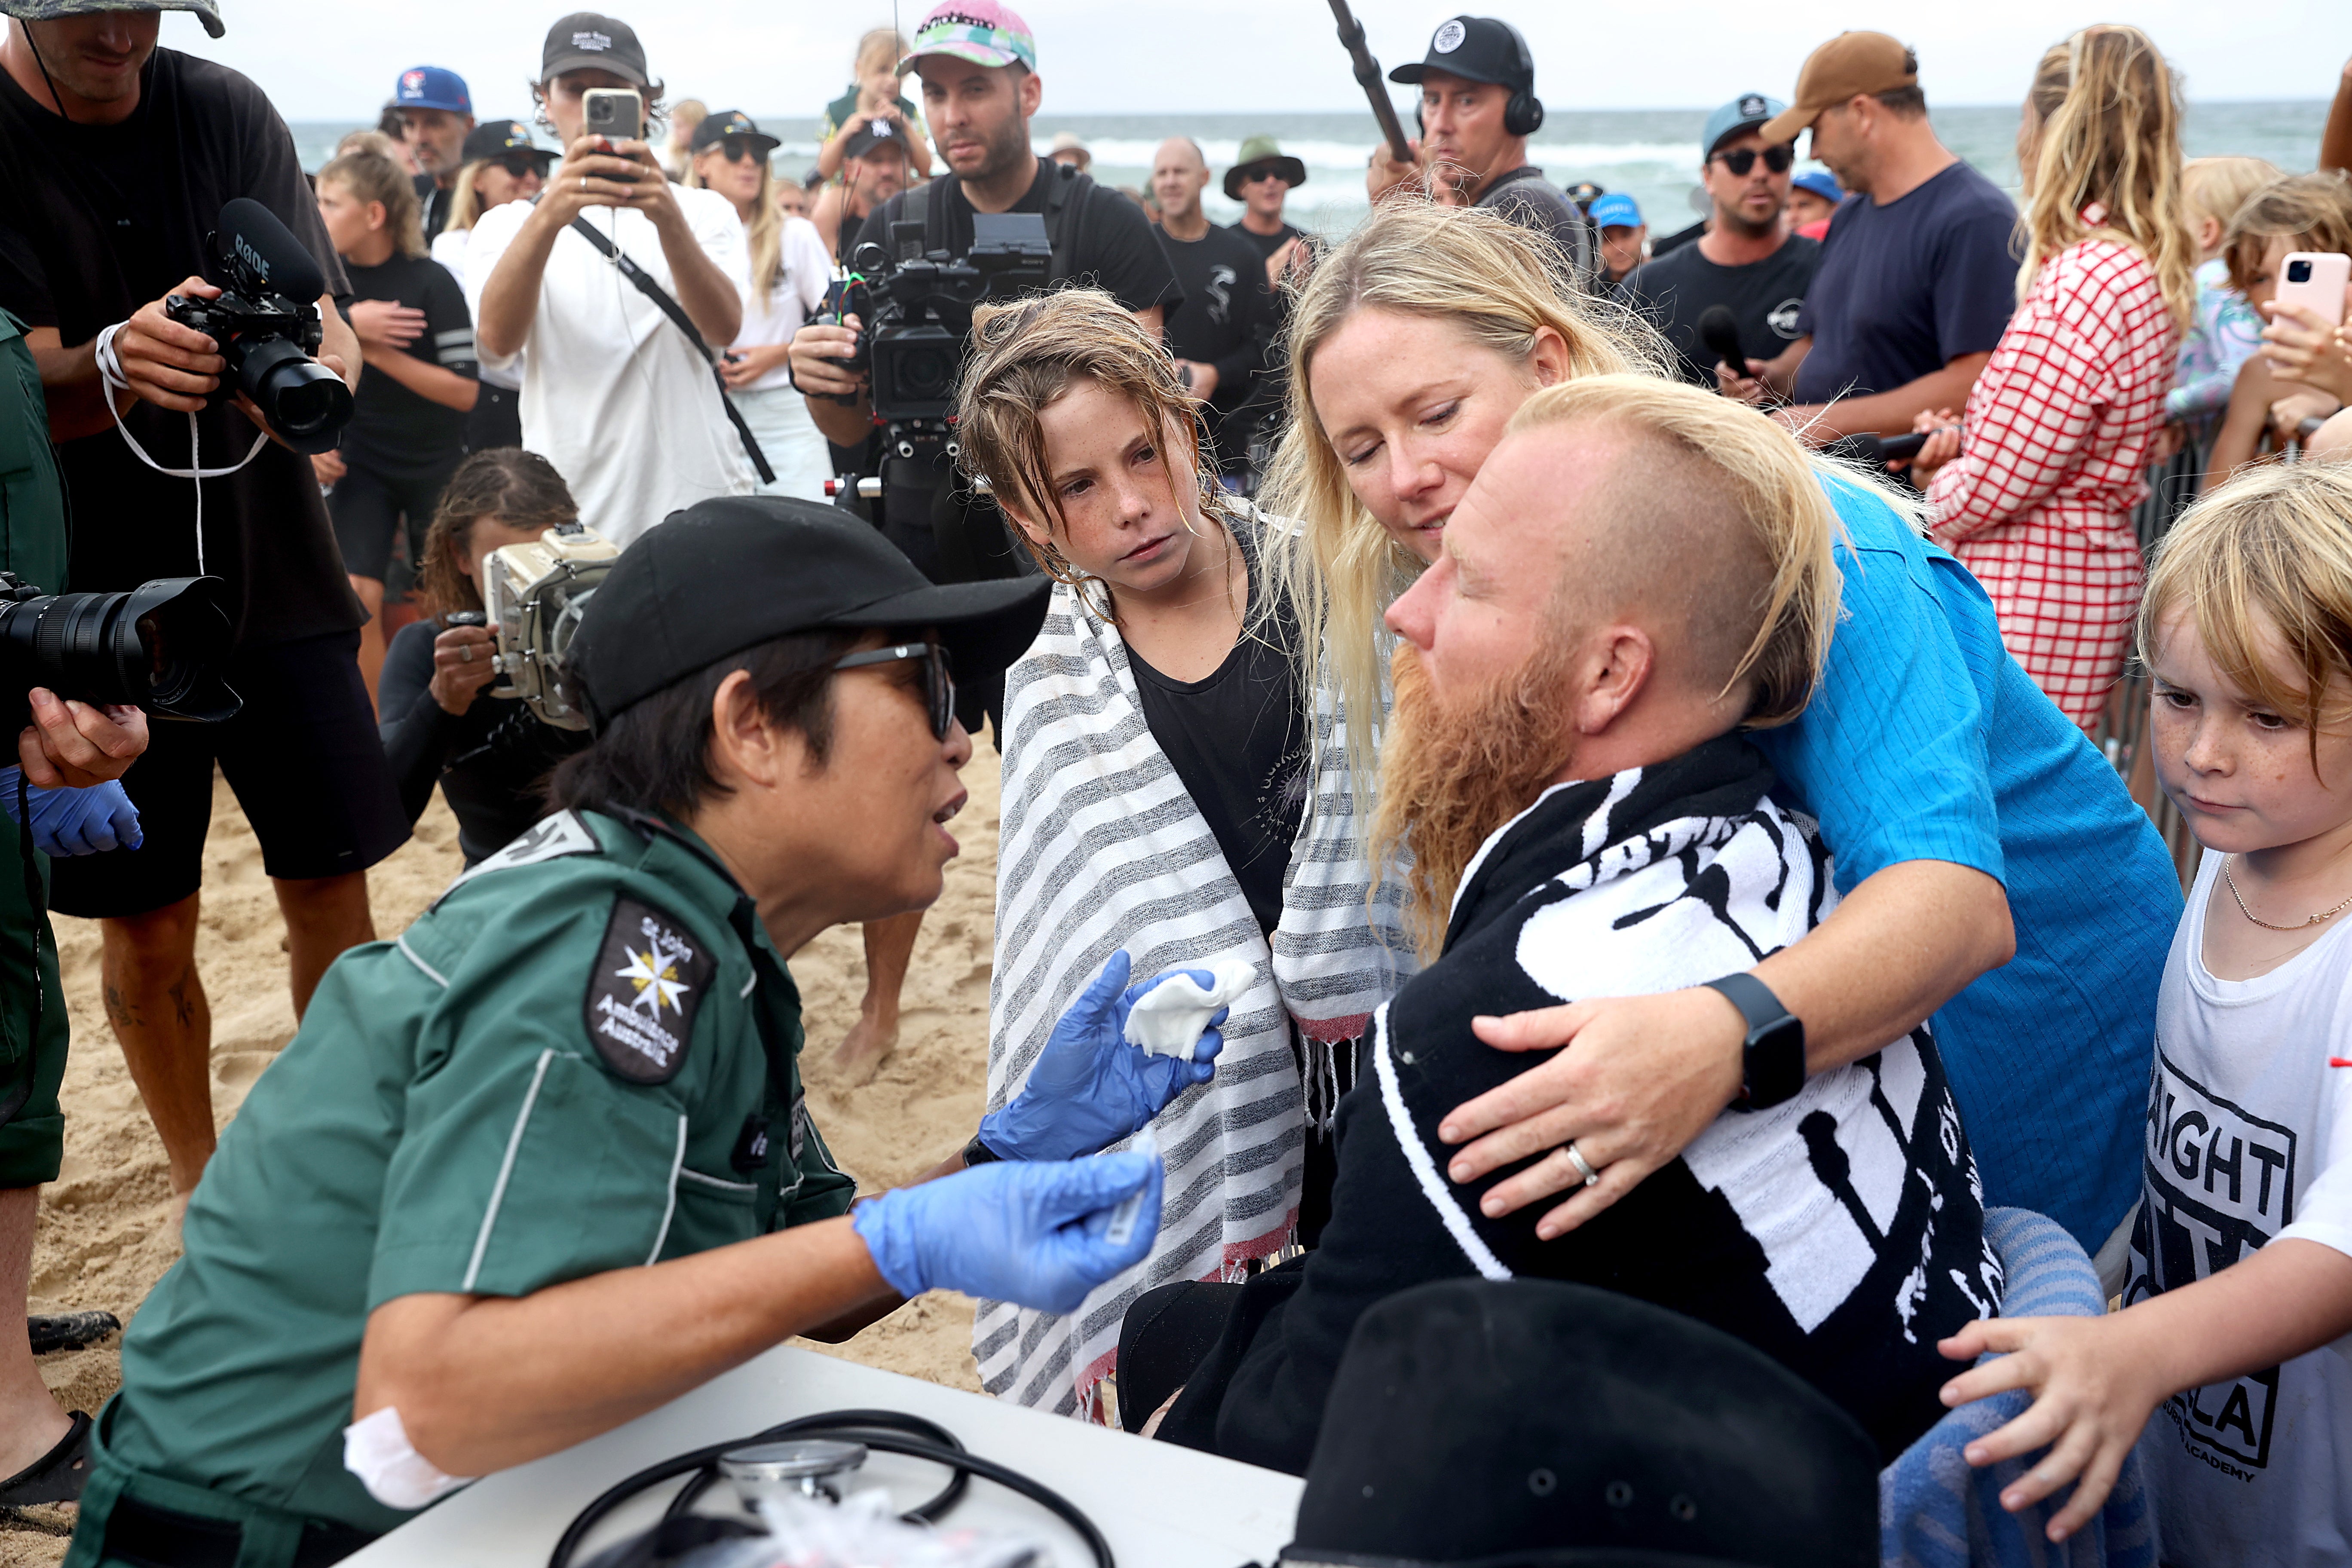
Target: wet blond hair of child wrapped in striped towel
1024	359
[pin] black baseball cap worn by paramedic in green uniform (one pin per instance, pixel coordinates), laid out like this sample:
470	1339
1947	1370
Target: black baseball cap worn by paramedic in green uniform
735	572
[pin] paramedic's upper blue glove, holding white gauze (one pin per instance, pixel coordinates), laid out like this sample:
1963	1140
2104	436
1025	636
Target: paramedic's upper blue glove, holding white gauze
1090	1087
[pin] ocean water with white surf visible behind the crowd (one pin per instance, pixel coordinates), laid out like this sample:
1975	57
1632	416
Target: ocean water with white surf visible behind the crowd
1650	154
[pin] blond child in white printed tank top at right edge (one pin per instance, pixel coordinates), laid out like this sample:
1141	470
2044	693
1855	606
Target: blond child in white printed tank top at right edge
2243	1252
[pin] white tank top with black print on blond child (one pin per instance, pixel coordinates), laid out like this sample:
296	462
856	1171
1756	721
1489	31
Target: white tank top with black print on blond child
2250	1141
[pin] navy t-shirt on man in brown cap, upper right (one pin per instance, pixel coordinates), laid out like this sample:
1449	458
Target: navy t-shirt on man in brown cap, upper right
1909	288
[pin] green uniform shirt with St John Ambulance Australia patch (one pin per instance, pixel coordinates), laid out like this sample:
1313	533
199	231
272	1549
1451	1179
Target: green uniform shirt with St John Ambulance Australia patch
580	1059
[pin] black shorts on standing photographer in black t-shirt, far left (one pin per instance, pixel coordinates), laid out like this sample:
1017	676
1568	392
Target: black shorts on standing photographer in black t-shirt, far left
307	768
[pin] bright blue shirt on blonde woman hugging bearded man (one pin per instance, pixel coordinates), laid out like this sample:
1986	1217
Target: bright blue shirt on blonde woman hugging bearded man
1930	744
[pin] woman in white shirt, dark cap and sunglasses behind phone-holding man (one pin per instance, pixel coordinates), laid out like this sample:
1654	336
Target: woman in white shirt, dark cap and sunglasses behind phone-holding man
789	274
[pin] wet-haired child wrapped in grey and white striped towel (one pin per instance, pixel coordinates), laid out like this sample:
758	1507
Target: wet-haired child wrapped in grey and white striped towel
1158	803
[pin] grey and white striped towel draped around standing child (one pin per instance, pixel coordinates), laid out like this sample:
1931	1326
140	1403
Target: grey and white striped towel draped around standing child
1102	850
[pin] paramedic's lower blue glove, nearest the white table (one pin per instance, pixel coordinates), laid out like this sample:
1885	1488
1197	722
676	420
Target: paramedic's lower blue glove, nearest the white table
1017	1233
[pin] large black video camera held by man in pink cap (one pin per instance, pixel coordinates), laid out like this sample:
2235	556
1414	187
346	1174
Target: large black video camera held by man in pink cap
918	307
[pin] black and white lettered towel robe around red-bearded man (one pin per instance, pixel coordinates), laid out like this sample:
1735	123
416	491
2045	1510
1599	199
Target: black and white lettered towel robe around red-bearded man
1840	1233
